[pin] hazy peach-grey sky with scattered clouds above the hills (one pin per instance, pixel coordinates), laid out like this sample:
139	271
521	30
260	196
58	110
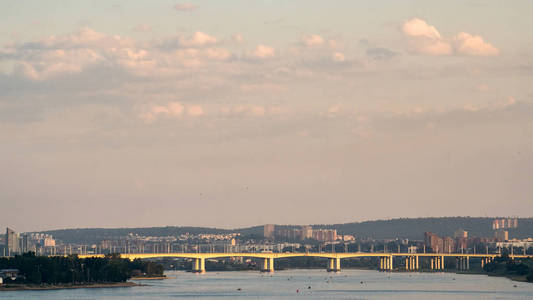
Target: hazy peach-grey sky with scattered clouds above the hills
242	112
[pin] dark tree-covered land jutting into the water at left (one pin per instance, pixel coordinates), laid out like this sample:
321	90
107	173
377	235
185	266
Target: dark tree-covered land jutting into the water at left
31	272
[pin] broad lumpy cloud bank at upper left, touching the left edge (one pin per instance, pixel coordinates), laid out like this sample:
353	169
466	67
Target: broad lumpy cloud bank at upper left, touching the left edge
74	52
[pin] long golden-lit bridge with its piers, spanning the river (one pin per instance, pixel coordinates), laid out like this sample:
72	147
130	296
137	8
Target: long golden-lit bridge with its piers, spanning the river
386	260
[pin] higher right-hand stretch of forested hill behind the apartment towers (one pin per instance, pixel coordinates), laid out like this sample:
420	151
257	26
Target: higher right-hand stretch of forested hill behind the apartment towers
415	228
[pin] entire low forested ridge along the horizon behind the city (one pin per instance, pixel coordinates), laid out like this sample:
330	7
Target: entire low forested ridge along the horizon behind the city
381	229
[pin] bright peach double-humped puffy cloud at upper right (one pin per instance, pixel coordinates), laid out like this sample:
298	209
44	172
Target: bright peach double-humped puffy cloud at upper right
426	39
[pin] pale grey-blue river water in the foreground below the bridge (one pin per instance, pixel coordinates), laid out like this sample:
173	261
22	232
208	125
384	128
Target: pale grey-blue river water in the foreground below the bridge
294	284
